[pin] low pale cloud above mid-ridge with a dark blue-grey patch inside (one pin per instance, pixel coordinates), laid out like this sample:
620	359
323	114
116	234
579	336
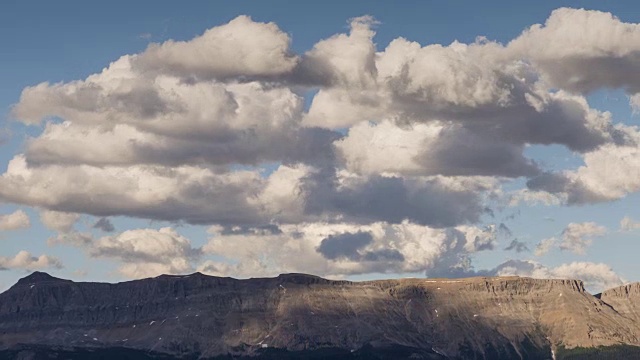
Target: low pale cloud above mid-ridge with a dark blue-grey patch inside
345	249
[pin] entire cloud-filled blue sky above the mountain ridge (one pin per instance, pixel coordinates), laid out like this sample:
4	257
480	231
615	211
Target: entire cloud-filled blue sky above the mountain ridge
352	141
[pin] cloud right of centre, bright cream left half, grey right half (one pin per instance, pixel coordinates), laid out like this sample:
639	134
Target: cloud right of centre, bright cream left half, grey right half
430	149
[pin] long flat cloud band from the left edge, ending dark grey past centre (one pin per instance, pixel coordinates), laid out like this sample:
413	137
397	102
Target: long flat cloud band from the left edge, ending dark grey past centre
200	195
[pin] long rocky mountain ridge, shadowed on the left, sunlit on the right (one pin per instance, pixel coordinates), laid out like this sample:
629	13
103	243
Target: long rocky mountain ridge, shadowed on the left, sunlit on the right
204	316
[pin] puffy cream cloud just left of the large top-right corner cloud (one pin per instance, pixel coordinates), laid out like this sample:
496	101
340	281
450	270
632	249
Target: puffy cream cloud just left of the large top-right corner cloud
457	75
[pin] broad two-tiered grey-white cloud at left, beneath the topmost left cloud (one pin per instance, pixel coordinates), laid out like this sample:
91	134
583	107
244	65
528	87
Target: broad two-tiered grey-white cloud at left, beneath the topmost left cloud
211	123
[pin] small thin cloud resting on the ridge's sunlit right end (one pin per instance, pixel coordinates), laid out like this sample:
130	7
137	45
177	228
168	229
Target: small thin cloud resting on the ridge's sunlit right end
596	276
